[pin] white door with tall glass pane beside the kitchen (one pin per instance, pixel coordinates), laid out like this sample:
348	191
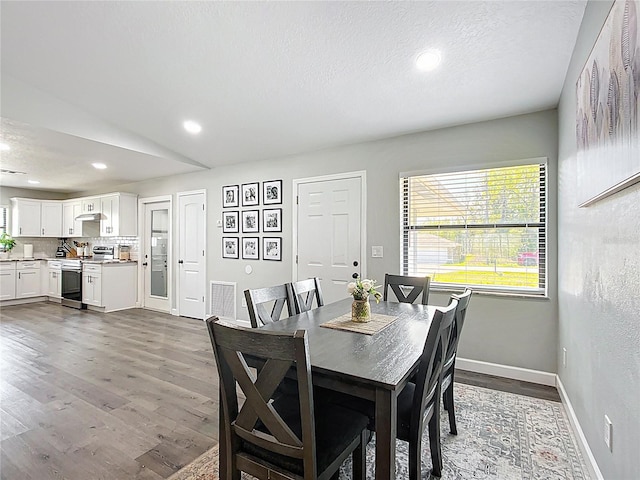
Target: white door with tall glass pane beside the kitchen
156	256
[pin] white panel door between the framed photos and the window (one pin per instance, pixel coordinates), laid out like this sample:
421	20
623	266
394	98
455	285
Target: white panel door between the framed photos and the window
330	223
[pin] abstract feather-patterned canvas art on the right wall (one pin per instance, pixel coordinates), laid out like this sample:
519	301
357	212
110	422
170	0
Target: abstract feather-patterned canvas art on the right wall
608	111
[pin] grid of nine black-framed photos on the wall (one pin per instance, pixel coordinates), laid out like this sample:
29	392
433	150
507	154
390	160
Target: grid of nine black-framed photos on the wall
248	211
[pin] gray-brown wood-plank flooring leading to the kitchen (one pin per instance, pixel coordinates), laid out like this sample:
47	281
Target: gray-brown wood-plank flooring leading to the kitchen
124	395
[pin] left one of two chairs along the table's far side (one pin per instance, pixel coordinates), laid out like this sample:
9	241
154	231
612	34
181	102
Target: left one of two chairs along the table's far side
259	298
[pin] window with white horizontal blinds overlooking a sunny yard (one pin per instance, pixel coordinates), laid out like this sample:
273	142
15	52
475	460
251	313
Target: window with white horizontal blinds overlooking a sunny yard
482	228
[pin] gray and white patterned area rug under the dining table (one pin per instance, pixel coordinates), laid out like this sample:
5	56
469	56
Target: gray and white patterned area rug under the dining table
501	436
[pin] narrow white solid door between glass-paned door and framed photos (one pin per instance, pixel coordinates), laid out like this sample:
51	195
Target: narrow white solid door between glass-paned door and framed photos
191	256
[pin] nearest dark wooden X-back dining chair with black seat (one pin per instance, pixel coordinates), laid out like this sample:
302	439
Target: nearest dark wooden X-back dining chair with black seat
289	437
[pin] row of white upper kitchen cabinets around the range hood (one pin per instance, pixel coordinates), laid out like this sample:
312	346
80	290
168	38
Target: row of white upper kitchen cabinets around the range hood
51	218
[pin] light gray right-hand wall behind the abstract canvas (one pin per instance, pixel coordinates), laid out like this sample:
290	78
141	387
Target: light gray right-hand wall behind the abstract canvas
599	303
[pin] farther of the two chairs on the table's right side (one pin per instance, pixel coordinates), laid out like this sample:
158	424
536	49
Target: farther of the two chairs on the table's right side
449	365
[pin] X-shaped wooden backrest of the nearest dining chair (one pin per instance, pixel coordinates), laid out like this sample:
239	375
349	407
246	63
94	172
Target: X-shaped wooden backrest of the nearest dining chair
280	350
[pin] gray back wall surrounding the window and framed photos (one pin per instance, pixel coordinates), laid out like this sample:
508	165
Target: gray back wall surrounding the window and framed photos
513	331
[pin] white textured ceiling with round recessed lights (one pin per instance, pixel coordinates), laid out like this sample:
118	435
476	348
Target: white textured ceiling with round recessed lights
268	79
